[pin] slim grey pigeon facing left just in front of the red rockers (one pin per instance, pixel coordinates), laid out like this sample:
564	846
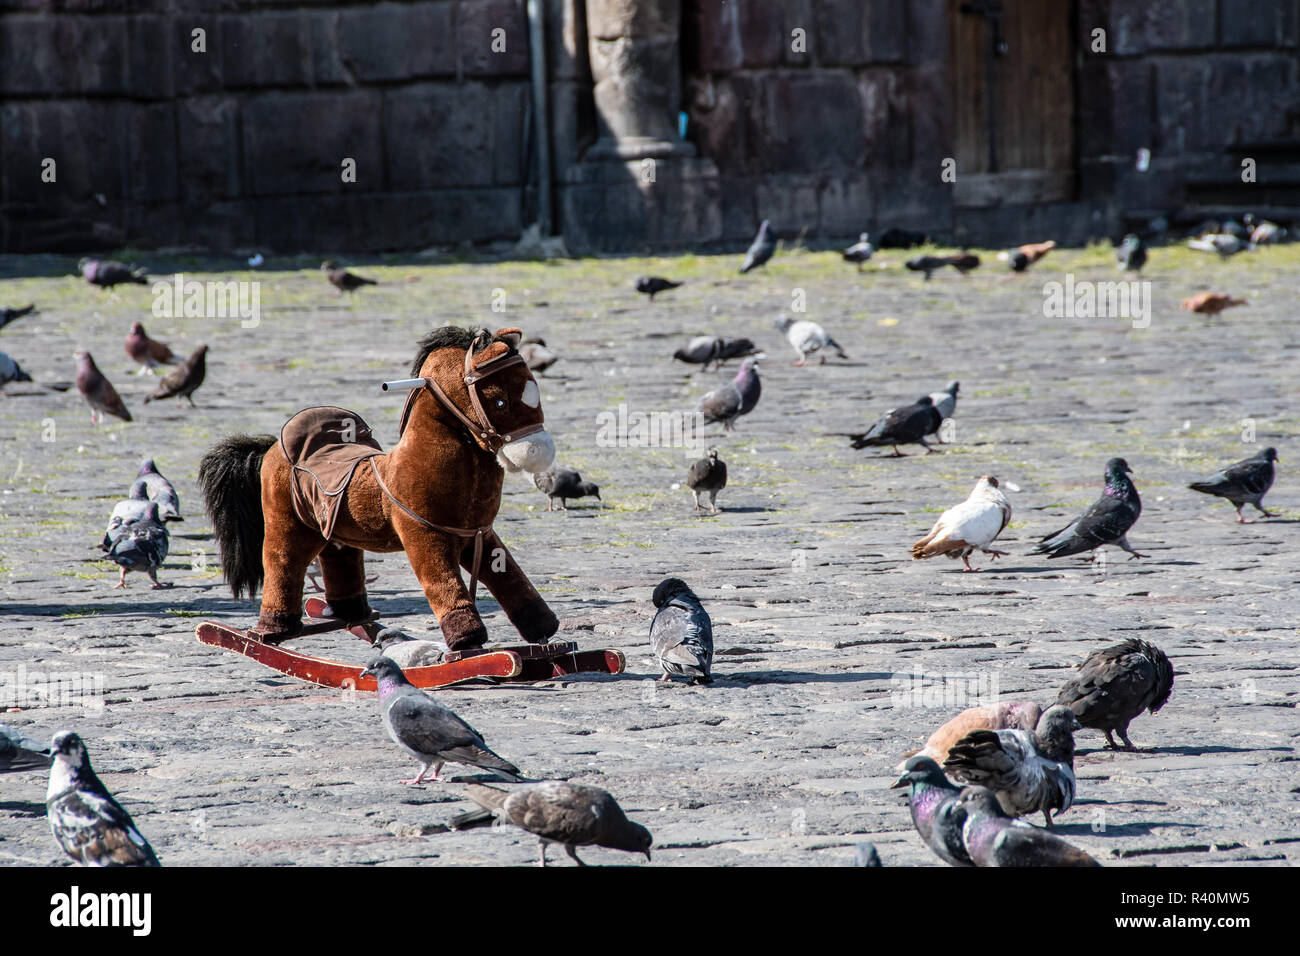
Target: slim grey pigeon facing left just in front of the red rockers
427	730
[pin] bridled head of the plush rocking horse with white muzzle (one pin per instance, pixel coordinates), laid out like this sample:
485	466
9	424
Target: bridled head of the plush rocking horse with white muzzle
483	380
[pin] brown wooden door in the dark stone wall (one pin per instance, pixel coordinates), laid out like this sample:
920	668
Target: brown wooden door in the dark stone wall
1020	146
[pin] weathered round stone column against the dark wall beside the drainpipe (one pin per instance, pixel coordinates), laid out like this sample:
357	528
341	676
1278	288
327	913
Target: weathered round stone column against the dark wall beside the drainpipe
634	46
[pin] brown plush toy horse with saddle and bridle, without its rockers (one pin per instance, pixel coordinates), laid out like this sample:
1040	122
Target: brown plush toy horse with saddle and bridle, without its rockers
434	496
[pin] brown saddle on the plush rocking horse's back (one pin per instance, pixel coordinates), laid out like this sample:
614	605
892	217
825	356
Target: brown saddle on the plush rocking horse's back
324	445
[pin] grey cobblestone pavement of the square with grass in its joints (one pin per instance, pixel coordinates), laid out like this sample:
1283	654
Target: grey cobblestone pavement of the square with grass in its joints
824	622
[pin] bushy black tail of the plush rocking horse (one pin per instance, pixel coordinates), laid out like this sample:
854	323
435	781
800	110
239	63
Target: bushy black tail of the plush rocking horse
231	478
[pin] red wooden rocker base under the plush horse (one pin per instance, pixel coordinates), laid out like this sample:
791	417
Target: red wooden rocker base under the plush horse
512	664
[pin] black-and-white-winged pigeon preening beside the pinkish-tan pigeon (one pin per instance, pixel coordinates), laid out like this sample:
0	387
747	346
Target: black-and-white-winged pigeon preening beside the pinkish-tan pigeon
1029	771
